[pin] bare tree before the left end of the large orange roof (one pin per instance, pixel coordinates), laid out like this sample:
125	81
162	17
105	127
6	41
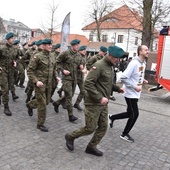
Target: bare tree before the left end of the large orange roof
96	12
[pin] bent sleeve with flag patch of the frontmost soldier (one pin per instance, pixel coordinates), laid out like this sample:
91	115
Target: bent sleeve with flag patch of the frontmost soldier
90	84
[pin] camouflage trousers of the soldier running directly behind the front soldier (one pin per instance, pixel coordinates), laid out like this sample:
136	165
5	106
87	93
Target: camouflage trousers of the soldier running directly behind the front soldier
69	89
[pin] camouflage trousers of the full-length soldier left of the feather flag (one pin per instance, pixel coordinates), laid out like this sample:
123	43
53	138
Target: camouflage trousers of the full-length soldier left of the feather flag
40	103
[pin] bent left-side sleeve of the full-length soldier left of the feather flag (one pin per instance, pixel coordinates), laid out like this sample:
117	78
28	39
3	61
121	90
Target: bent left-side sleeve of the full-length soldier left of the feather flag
31	69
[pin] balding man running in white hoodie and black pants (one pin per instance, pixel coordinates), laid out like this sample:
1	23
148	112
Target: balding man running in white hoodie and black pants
133	79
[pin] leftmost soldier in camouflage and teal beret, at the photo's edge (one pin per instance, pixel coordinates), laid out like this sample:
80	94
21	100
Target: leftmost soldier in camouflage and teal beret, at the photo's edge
7	64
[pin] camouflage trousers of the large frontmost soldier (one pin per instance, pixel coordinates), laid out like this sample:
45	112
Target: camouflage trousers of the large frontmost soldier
96	120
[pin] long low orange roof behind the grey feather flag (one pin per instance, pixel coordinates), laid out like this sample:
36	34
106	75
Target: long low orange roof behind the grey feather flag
57	37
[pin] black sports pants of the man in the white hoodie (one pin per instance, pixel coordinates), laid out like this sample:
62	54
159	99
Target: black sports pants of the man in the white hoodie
132	114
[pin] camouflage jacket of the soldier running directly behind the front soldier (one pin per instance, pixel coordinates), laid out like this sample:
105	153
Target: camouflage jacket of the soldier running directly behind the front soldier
71	61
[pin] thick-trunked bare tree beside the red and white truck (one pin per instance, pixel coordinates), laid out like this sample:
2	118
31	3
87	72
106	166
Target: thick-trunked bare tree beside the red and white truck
154	15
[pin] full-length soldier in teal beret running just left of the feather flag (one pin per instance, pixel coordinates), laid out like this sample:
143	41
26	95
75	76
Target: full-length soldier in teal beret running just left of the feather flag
40	72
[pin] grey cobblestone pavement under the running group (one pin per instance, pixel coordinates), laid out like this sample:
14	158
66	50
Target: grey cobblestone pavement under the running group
23	147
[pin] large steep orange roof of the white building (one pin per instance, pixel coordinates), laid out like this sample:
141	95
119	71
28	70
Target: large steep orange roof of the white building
121	18
